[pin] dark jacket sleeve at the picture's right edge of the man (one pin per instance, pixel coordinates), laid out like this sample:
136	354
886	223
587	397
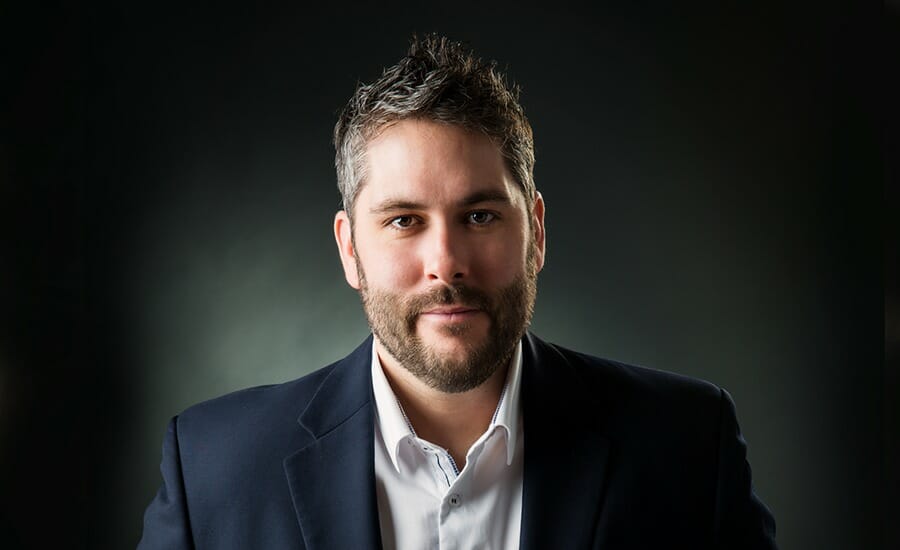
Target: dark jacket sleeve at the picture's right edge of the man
742	520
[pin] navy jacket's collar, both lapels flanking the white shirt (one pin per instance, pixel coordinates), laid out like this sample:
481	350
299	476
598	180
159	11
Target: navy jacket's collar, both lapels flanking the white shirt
332	479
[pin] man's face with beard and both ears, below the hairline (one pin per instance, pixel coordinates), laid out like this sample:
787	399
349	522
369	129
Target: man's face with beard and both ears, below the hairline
443	252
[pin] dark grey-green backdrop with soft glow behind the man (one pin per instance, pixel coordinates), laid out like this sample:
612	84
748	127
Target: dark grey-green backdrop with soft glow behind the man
715	208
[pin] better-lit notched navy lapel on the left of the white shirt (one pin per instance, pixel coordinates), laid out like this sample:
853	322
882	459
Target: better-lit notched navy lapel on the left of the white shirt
332	479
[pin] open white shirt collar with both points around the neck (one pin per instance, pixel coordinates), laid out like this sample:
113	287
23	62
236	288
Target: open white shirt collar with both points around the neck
395	427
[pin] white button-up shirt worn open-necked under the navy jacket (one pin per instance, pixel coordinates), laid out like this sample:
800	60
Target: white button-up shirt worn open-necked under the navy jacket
424	502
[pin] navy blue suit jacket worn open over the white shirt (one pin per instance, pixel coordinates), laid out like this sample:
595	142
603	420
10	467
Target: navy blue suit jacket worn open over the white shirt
616	457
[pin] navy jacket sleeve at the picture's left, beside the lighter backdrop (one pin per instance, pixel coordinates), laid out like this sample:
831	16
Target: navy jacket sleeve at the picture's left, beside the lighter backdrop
166	522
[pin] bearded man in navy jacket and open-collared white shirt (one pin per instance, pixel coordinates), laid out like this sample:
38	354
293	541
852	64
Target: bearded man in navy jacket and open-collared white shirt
452	427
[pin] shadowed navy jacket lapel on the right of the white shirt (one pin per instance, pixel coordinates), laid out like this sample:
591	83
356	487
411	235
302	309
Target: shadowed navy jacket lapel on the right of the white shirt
565	453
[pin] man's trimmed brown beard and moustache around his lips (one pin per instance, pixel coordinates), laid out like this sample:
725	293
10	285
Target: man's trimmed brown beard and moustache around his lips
393	318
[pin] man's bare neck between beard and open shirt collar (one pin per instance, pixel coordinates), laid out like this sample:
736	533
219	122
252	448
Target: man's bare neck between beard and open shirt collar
452	420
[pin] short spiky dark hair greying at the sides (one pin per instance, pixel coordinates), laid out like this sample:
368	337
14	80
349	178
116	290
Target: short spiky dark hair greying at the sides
442	81
